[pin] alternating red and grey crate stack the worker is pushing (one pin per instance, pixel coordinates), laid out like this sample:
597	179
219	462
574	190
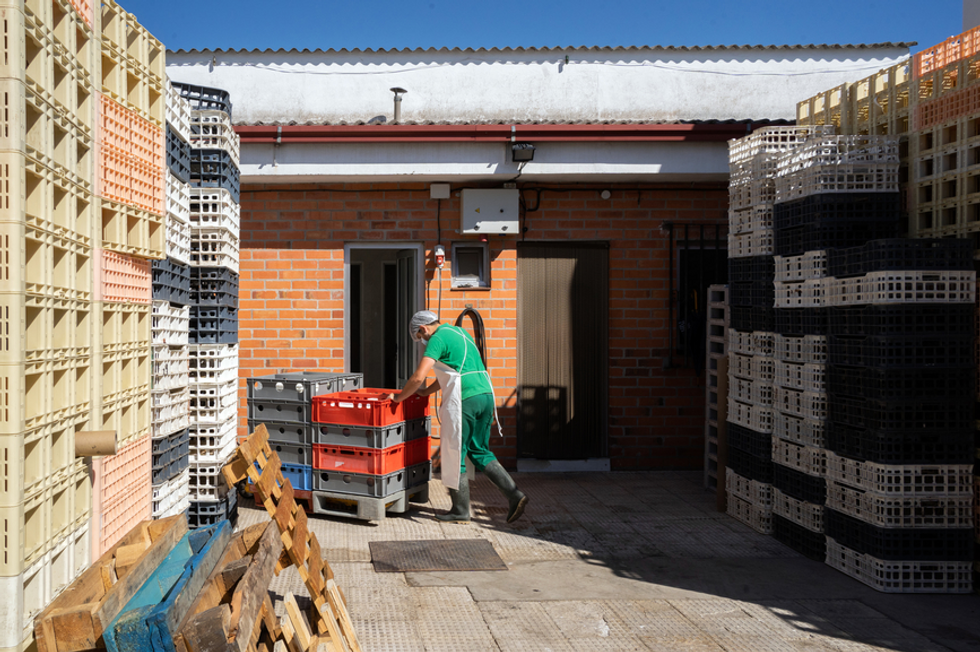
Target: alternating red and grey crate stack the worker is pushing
370	455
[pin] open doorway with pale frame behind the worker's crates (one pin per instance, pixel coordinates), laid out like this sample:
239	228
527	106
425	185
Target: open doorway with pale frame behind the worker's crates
383	289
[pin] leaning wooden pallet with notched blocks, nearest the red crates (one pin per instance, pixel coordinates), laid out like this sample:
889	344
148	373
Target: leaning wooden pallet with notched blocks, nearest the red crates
255	461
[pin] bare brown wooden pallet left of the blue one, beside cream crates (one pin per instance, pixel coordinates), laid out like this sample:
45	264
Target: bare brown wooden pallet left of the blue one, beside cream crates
77	618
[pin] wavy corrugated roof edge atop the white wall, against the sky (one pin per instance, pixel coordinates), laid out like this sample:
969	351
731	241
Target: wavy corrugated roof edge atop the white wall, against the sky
594	48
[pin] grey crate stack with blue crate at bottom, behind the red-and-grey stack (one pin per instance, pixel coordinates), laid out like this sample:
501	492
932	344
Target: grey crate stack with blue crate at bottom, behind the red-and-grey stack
283	403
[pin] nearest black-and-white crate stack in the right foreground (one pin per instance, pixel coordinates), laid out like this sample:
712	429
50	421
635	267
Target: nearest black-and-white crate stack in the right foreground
900	436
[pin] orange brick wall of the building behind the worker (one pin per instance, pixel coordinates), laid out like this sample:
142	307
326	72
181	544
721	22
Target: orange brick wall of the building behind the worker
292	285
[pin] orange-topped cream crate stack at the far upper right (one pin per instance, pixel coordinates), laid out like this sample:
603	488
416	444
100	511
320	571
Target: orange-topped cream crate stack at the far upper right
944	145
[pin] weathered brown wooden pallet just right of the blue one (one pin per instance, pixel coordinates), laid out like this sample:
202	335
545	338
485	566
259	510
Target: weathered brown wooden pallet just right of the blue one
233	611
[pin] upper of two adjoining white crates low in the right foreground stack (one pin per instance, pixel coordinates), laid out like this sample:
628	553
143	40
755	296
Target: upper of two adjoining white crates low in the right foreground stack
902	479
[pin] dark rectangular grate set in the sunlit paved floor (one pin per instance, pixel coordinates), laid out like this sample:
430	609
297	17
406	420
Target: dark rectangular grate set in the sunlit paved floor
434	555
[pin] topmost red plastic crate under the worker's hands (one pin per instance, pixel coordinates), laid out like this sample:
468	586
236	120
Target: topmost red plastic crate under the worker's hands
367	407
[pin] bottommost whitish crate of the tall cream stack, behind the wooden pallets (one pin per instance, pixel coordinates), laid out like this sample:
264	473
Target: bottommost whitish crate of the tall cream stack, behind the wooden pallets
28	593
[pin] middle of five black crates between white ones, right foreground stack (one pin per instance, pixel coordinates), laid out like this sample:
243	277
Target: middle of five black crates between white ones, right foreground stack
901	384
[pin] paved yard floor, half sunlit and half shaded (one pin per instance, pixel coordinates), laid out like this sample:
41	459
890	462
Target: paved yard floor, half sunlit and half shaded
619	561
